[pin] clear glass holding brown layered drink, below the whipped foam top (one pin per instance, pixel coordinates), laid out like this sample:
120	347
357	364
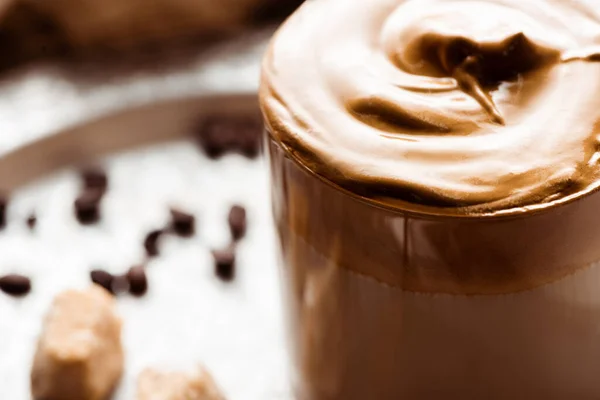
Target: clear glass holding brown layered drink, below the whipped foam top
386	303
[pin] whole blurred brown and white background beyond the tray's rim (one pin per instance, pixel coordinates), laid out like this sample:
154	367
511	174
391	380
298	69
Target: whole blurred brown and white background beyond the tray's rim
64	61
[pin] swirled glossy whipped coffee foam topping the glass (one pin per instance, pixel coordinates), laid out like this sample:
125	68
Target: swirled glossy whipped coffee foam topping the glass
473	106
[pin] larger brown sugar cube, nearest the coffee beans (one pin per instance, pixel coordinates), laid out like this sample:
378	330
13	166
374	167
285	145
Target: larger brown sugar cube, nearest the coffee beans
79	355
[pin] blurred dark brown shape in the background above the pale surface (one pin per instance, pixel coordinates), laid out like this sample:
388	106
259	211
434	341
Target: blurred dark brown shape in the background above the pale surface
69	30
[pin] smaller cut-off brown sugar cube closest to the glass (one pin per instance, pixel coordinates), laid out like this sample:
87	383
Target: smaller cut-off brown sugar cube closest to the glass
155	385
